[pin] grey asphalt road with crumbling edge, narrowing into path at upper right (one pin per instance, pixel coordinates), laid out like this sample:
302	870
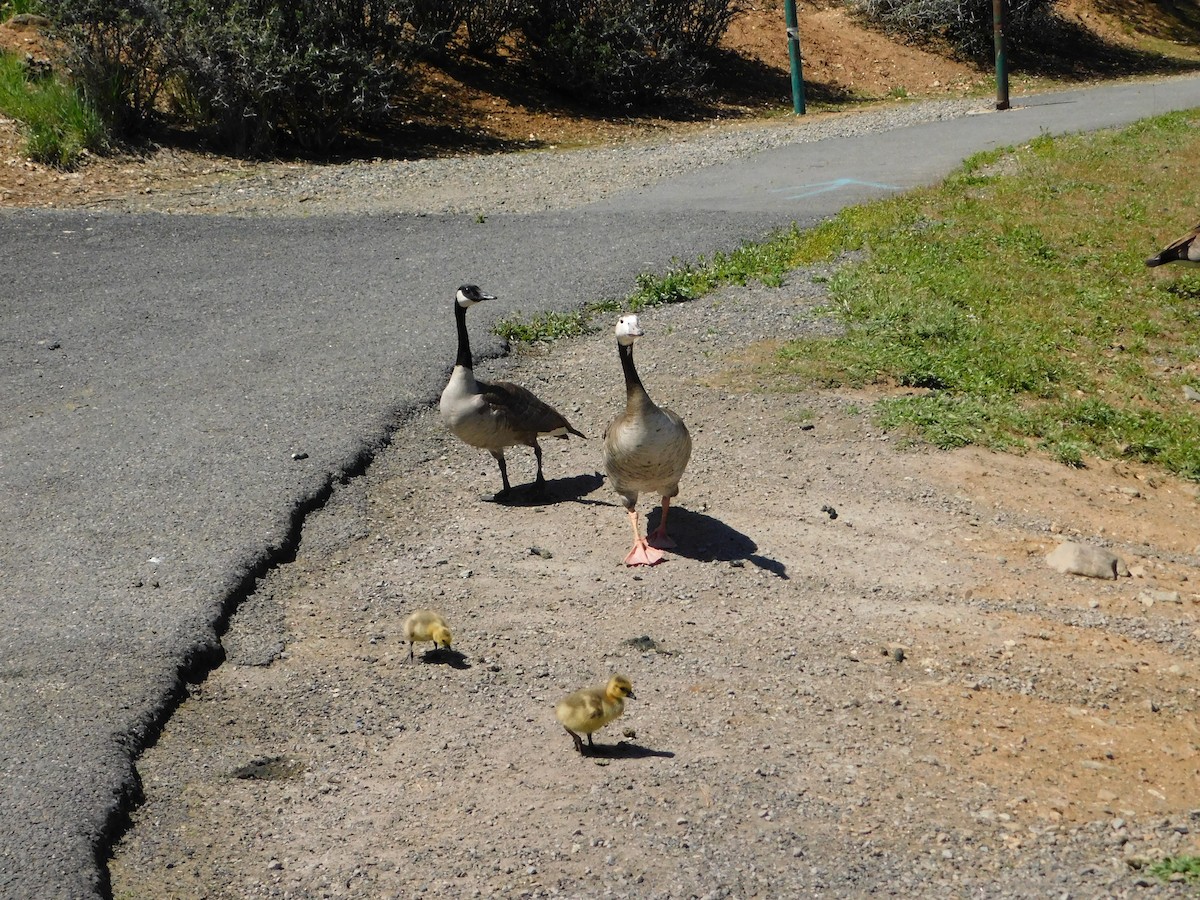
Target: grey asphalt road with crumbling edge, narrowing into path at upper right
159	374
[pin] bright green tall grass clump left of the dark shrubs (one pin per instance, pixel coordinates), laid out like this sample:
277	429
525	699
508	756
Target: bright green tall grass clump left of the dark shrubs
59	125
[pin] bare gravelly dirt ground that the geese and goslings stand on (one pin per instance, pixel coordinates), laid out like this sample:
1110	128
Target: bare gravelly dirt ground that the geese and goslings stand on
856	675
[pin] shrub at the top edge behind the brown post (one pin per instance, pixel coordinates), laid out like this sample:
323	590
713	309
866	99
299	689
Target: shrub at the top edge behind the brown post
965	26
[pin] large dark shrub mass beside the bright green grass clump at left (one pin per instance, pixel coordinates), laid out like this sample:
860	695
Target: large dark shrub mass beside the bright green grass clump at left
249	74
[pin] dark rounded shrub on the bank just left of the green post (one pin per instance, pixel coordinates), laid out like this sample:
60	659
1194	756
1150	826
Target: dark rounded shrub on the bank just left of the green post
625	51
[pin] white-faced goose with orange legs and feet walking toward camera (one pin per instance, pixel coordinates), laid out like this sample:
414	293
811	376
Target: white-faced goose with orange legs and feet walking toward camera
646	448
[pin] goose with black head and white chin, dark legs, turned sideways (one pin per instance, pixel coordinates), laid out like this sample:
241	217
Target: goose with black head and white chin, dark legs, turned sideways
494	417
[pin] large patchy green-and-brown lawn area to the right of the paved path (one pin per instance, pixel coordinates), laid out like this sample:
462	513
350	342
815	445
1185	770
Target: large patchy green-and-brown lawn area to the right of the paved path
1013	299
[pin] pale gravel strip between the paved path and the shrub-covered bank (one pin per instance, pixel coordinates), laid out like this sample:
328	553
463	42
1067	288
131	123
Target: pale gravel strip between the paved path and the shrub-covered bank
529	182
